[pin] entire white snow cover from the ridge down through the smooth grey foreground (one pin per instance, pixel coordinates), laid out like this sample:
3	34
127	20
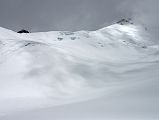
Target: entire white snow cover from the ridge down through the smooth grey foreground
111	73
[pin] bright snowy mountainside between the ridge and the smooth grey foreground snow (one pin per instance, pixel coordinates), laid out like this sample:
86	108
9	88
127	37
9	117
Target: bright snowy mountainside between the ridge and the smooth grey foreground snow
40	70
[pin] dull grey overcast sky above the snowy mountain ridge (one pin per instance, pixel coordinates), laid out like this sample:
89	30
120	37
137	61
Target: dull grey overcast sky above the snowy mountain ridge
46	15
